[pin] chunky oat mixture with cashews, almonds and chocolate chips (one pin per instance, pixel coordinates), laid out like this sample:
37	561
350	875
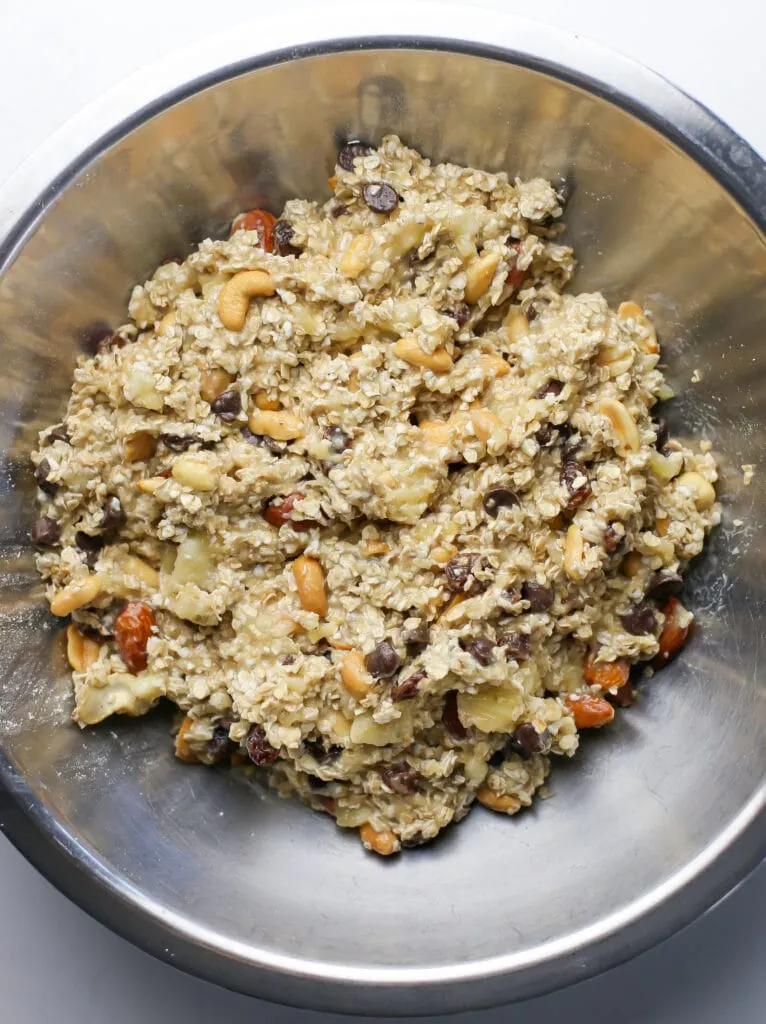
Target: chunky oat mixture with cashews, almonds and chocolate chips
373	501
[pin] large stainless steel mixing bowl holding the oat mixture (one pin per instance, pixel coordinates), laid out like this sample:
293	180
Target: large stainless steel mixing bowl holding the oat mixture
659	817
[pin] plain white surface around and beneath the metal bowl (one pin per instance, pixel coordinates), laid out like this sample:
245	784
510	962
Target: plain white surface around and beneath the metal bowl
58	966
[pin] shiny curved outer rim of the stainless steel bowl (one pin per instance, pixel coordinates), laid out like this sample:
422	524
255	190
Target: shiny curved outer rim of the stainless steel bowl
75	870
